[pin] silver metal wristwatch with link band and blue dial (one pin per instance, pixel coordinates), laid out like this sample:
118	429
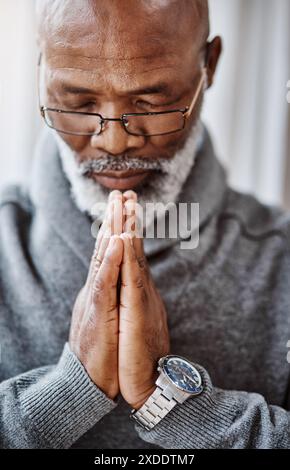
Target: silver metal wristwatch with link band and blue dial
177	381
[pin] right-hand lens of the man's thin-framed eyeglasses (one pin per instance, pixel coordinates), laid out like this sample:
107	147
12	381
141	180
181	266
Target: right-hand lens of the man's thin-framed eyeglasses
156	124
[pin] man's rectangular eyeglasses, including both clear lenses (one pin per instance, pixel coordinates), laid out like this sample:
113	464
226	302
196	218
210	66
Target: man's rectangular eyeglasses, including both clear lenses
139	124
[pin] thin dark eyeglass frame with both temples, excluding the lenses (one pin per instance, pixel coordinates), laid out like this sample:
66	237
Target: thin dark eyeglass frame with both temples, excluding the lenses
186	113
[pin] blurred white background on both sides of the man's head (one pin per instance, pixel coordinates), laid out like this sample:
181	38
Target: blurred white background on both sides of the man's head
246	111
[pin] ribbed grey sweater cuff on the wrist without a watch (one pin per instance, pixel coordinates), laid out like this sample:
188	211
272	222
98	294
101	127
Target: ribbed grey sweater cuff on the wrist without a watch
64	403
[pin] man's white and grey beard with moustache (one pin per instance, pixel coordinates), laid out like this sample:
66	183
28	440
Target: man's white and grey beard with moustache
163	186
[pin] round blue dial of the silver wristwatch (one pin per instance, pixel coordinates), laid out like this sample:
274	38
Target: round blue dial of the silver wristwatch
182	374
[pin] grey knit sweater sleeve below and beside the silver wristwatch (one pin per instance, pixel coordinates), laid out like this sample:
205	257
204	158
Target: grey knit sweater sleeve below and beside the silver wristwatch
218	419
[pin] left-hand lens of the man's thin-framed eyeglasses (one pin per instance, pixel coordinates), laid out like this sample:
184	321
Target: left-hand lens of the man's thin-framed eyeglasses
70	123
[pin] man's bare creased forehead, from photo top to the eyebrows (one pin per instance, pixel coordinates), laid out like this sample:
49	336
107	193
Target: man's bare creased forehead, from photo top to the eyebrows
115	46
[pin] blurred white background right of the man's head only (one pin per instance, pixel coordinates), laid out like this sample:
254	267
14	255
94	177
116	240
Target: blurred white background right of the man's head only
247	111
